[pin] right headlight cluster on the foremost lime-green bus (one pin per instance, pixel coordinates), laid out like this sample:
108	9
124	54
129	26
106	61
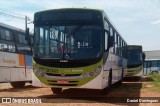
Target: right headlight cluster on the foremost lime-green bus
92	73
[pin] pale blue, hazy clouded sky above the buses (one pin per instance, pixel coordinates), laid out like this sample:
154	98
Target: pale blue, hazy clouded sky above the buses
138	21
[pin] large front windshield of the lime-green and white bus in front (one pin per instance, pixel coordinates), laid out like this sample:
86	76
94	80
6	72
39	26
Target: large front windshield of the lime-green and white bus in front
68	42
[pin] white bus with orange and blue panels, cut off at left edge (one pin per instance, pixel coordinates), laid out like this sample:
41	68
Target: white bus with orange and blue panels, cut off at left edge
15	57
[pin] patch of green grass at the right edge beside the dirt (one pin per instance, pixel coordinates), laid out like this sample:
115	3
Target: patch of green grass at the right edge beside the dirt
156	81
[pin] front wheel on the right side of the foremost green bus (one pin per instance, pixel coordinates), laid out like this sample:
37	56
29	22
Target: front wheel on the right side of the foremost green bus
106	90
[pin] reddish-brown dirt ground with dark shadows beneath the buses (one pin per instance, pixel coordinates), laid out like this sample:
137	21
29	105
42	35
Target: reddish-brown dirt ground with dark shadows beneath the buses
78	97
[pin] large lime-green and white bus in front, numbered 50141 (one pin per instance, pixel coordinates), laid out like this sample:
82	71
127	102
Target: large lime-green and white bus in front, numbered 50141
77	48
